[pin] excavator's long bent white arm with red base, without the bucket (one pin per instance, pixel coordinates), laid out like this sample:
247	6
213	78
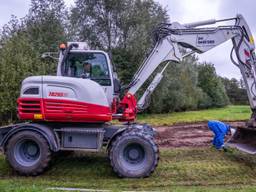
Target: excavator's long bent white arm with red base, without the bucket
197	38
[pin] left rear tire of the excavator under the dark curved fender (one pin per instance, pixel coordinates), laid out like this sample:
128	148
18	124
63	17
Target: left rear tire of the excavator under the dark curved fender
28	153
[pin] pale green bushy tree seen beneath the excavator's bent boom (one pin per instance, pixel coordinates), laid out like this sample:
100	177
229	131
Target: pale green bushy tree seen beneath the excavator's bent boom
178	90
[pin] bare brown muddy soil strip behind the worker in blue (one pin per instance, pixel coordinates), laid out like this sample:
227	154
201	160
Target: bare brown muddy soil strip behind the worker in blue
187	135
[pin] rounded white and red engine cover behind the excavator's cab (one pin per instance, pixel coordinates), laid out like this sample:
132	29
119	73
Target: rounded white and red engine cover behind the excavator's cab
63	99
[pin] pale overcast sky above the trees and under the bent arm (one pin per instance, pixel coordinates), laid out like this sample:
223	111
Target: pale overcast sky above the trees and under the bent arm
183	11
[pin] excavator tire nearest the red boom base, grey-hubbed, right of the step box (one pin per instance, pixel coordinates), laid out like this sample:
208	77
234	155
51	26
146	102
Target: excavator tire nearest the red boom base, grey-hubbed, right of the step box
134	155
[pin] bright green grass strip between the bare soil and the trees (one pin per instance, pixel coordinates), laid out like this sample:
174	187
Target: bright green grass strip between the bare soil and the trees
229	113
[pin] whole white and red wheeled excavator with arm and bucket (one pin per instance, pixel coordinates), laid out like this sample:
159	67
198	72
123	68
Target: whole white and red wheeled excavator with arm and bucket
73	110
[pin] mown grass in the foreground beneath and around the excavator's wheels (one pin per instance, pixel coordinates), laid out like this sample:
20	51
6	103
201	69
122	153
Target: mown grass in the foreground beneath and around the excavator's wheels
196	169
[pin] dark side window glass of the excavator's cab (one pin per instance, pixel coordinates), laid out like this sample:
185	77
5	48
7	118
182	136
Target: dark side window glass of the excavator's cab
93	66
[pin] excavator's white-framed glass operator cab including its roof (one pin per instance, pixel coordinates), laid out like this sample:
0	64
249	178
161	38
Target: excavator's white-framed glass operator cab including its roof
77	60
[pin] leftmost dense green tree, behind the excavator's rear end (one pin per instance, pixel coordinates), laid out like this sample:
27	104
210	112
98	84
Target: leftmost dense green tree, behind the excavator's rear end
17	61
